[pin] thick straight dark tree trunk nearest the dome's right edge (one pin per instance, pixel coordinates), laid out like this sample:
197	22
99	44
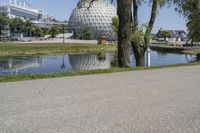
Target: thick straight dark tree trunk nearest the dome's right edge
124	32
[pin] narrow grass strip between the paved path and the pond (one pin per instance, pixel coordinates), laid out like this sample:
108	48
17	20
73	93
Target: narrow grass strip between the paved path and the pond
12	78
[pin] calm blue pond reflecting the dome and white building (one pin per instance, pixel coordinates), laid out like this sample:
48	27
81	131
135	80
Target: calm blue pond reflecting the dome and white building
79	62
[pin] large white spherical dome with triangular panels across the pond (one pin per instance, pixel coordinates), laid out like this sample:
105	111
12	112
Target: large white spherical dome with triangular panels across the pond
98	16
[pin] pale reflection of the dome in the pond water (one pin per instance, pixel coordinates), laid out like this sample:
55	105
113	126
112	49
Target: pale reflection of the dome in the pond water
90	61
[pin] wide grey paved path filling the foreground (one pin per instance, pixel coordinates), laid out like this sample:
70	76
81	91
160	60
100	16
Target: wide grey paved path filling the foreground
152	101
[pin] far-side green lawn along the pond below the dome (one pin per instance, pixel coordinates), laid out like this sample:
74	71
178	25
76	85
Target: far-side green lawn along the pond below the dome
33	49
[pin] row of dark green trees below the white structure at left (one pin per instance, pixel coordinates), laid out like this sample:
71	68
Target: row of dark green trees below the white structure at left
26	27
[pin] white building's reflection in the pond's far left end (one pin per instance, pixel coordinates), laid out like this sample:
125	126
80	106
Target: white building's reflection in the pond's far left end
13	65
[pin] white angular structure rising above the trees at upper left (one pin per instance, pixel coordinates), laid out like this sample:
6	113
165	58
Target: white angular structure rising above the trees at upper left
22	9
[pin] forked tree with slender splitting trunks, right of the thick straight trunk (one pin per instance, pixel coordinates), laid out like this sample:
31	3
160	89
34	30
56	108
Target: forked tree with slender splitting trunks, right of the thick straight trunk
138	48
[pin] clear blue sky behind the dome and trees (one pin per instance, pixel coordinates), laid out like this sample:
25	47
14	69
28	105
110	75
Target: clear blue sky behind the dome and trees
61	10
